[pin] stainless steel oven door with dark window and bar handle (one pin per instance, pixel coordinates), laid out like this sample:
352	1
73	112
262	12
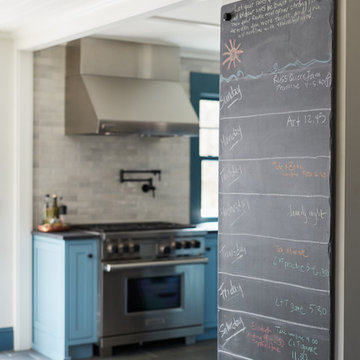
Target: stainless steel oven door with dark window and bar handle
152	295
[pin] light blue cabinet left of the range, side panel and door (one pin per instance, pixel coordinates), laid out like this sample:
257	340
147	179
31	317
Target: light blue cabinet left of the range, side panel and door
65	287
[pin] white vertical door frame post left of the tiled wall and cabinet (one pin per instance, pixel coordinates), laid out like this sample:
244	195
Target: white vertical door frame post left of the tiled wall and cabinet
23	208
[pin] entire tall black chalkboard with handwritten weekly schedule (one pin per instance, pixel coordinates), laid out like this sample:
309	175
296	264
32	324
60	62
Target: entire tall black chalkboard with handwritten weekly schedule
275	202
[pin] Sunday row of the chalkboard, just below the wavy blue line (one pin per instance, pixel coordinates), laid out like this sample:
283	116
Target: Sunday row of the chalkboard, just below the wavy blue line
275	92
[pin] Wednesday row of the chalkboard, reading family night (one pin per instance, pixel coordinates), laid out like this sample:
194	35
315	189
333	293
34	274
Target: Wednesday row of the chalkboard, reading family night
296	217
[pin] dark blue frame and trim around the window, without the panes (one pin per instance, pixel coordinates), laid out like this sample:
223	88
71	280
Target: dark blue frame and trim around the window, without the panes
202	86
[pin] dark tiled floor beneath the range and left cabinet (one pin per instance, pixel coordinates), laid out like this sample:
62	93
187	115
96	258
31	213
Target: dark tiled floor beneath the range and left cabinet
164	350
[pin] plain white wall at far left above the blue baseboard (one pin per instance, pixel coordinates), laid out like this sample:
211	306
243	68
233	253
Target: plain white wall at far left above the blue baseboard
7	134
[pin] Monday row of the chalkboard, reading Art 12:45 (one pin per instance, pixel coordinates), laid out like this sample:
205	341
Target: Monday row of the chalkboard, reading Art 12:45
274	136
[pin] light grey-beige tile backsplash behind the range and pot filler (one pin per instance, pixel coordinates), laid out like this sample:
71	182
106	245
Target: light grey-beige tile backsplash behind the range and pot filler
84	170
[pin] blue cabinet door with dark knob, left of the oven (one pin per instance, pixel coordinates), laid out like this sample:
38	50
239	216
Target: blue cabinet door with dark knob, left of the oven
81	296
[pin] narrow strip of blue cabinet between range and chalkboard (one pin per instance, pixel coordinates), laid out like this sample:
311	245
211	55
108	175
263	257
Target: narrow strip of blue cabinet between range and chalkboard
210	301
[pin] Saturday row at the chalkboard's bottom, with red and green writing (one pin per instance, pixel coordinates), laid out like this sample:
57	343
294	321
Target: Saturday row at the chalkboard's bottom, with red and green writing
260	337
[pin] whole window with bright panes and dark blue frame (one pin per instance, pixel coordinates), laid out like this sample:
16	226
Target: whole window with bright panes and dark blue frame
205	148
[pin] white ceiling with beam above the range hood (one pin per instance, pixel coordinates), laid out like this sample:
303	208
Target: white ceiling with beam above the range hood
36	24
